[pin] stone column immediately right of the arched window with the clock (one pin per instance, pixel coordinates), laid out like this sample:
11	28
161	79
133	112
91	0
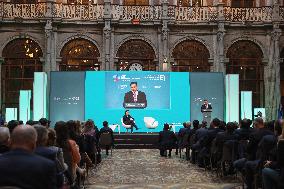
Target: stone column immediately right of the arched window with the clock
164	56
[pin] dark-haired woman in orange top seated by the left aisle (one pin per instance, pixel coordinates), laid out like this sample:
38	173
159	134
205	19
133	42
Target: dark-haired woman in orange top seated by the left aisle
70	151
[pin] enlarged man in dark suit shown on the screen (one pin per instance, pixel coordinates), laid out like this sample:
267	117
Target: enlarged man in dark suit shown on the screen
134	96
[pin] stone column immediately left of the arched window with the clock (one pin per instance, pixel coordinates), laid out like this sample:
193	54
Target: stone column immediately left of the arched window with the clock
106	63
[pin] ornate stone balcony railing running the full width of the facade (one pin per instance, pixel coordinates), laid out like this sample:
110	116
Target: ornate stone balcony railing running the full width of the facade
93	12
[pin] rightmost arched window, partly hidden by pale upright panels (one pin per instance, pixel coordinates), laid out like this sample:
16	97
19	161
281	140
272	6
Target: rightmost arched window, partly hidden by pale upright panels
245	59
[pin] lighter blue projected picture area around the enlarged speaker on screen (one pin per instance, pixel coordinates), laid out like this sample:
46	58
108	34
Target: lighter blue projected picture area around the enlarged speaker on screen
156	87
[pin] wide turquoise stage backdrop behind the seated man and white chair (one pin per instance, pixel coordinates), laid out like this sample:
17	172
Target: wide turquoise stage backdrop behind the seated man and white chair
170	104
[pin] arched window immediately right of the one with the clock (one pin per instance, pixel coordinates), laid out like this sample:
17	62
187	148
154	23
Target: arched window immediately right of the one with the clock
190	56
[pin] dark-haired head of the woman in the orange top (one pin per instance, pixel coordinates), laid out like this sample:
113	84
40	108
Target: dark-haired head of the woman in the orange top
62	134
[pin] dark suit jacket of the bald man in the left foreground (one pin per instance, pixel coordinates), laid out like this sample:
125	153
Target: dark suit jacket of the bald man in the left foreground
26	170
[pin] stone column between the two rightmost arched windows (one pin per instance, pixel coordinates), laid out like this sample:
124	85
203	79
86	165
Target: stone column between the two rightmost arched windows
218	64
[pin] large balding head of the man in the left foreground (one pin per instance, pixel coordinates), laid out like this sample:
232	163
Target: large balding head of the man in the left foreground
24	137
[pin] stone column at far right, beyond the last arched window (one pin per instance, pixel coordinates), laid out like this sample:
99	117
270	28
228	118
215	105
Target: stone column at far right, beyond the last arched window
272	75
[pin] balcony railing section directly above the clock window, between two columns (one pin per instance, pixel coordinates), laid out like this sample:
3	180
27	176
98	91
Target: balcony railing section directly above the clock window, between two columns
143	13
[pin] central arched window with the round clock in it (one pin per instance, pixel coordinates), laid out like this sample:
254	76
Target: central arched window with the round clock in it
136	54
